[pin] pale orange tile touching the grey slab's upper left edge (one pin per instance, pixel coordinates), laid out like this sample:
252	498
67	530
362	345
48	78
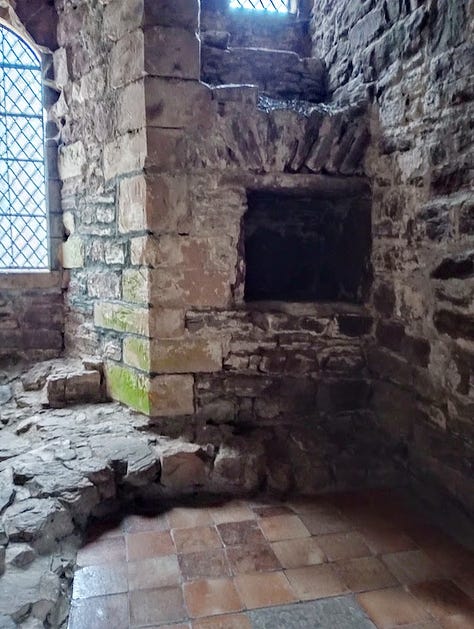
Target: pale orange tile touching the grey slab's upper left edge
264	590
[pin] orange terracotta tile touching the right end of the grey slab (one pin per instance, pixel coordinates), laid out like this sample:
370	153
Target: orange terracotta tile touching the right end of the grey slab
392	607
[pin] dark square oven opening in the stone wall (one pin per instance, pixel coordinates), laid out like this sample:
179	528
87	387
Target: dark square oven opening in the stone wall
305	248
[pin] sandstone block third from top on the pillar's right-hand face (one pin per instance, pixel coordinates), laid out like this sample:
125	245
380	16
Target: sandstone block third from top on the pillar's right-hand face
171	103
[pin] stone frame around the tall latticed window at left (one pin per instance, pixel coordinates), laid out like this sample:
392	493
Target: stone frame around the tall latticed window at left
25	277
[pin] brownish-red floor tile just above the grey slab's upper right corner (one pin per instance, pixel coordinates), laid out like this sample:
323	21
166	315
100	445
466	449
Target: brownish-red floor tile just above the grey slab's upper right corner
365	573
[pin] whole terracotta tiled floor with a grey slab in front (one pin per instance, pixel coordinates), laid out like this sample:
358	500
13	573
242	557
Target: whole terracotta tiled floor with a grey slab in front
350	560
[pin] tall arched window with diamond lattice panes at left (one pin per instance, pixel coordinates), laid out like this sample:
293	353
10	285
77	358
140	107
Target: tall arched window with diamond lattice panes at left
23	213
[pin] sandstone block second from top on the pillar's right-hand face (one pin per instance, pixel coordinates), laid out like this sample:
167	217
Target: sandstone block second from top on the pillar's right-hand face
172	52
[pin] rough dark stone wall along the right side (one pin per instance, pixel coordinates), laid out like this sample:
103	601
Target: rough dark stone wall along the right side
413	61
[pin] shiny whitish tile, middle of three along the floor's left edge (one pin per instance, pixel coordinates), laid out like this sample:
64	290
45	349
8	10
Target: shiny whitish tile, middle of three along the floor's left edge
100	580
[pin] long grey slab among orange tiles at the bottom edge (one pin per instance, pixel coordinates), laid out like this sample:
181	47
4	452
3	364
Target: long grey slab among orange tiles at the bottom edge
334	613
